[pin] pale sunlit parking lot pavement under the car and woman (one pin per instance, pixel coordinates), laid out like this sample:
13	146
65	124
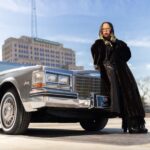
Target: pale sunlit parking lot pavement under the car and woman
72	136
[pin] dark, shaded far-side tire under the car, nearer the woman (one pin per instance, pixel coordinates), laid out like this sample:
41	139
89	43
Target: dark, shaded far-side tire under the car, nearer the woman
94	125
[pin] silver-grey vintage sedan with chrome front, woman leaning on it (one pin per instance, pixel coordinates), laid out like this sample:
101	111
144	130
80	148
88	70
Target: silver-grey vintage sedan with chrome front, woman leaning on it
42	94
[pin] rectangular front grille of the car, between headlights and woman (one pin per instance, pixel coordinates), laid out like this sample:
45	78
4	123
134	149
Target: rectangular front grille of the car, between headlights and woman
84	85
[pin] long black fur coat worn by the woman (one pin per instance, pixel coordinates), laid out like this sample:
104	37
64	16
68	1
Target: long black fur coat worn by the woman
117	77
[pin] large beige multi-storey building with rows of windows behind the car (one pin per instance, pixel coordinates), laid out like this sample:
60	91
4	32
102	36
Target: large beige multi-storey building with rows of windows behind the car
27	50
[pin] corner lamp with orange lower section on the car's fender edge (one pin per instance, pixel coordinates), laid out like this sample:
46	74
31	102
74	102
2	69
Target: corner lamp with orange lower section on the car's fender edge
38	79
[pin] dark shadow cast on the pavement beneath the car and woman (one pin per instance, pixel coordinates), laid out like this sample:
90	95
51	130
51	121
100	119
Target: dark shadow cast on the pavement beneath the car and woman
111	136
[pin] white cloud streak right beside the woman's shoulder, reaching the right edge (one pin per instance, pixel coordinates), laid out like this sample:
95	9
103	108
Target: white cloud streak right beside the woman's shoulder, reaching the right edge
145	42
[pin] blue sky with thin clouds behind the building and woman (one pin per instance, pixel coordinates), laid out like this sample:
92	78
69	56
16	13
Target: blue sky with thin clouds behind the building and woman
75	23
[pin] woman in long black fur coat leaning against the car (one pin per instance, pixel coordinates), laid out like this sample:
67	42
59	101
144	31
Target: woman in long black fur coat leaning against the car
110	56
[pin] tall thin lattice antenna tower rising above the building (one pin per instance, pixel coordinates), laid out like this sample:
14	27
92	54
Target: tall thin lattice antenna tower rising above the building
33	19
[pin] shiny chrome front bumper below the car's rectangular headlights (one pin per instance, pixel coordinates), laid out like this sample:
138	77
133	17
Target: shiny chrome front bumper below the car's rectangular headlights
34	103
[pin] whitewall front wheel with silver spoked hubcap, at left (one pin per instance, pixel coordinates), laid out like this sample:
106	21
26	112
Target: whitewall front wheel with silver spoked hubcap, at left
14	119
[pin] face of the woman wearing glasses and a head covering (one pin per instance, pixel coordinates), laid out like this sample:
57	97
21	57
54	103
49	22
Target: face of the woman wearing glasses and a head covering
106	30
